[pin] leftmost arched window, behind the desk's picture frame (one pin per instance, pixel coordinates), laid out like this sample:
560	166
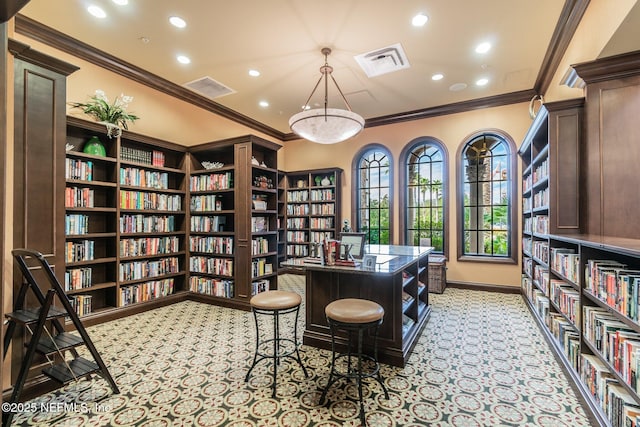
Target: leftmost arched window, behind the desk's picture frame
373	183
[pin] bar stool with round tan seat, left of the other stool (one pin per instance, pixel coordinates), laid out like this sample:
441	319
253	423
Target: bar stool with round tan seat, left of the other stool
275	304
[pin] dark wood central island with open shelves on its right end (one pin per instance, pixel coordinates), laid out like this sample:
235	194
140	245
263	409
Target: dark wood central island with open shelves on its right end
399	283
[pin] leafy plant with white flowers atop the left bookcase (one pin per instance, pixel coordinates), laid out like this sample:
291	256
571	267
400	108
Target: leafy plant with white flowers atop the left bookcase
113	115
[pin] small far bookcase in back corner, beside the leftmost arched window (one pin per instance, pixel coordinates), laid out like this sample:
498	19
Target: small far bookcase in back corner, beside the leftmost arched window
311	209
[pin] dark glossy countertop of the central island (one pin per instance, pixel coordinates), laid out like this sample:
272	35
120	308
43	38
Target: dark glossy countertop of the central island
390	259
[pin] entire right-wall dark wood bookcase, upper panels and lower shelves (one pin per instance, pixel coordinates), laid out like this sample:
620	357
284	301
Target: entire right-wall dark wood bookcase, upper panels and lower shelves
585	296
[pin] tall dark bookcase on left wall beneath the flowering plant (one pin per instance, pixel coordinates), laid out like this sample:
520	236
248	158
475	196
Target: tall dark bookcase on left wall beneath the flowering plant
124	221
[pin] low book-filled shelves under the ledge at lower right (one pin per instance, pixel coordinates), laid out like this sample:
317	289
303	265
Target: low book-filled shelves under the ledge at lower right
594	319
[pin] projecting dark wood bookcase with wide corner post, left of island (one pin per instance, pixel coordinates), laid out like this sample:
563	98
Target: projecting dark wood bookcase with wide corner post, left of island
233	218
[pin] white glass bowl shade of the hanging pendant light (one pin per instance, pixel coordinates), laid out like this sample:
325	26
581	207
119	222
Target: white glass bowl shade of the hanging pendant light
328	126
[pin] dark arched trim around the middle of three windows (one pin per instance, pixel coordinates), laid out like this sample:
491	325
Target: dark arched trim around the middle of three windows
404	156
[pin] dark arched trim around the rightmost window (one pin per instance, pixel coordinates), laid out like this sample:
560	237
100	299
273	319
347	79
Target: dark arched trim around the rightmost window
513	257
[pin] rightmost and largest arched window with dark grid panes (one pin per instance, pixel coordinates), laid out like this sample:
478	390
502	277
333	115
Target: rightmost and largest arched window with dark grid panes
487	213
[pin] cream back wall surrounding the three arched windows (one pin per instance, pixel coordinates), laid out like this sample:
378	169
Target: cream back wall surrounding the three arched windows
452	130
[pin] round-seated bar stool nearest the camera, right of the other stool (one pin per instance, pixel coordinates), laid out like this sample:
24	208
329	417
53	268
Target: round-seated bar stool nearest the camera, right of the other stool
354	315
